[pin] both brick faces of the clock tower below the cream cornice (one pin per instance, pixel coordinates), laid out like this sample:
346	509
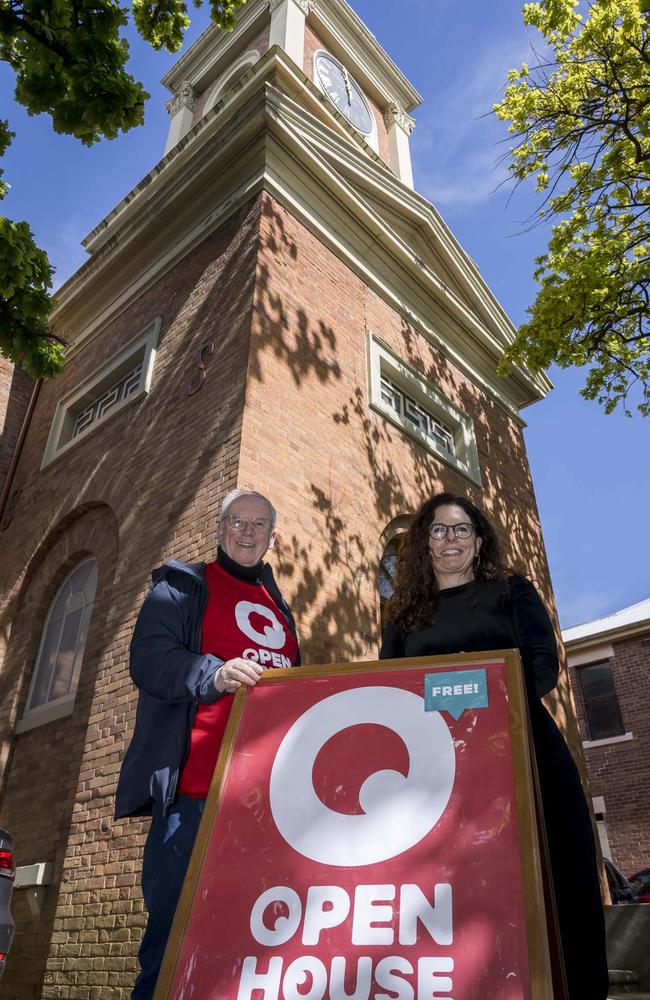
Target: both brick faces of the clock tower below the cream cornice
289	323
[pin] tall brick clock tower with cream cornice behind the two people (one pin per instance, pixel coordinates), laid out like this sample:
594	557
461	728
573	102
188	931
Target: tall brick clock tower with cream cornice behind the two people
273	306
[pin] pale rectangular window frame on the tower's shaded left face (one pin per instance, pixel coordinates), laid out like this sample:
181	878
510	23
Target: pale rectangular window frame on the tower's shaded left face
141	348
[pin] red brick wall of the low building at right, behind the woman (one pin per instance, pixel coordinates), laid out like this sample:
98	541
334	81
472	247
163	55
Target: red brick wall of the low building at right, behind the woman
620	771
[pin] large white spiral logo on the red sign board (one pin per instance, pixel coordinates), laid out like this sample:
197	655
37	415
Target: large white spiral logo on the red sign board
398	810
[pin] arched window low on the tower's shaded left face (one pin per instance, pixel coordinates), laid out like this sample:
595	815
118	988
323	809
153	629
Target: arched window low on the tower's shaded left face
56	672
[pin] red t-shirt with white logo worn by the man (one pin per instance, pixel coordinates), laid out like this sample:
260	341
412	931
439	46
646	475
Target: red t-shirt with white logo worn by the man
241	619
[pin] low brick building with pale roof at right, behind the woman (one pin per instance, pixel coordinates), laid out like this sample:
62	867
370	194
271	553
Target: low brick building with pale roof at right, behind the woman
609	669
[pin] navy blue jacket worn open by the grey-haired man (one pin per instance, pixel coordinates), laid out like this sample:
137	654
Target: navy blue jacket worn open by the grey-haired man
173	678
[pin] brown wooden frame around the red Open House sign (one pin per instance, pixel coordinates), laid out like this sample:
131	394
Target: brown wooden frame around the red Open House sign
533	866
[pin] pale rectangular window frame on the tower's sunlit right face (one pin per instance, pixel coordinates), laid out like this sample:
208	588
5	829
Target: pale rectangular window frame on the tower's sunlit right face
382	361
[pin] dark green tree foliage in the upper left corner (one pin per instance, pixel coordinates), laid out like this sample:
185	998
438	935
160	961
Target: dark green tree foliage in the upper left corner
70	62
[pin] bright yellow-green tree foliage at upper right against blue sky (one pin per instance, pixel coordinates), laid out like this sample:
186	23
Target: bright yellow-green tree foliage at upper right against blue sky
582	119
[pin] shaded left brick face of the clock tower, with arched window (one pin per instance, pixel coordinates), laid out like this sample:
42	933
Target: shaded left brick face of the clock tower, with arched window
153	477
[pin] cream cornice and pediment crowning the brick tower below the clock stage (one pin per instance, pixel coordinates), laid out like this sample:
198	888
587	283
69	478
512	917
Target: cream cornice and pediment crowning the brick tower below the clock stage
259	137
